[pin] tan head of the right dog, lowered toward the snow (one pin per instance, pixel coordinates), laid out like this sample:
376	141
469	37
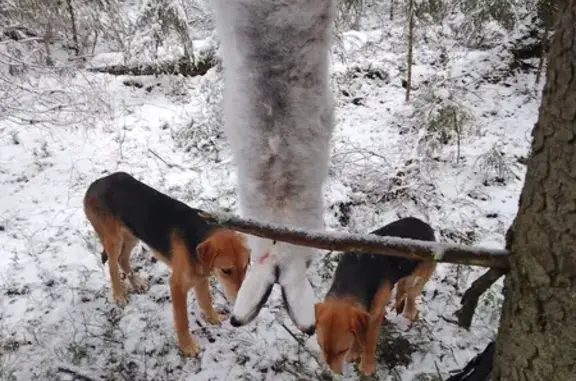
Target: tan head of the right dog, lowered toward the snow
338	326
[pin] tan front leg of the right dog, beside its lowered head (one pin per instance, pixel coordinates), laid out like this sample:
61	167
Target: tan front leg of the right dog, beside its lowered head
367	366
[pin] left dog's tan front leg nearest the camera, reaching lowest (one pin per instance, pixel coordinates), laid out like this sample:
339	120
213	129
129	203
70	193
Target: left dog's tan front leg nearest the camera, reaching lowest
179	292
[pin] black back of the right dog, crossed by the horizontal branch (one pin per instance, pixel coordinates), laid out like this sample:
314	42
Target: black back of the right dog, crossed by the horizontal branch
361	275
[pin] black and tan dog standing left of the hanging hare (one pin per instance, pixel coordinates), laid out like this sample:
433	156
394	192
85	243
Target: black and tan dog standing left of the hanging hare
123	211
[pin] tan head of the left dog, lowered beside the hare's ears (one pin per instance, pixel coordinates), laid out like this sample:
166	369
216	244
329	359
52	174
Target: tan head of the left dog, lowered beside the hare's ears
225	254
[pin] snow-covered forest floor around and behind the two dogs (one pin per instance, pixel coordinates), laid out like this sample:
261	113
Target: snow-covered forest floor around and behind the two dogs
56	317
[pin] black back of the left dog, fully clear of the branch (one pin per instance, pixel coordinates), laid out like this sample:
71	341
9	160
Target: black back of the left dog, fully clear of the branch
150	215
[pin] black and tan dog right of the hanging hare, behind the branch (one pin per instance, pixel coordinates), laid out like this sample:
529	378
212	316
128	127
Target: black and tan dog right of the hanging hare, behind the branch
348	320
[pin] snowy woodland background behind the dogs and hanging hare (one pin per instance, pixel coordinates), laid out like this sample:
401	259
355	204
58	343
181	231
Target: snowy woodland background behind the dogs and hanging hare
88	87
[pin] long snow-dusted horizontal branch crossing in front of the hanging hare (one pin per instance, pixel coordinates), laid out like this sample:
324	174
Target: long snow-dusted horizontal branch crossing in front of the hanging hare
362	243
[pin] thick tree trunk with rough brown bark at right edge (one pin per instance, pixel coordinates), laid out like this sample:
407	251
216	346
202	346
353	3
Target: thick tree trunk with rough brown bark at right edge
537	335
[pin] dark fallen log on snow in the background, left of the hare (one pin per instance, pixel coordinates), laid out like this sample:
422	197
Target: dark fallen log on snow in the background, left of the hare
183	66
